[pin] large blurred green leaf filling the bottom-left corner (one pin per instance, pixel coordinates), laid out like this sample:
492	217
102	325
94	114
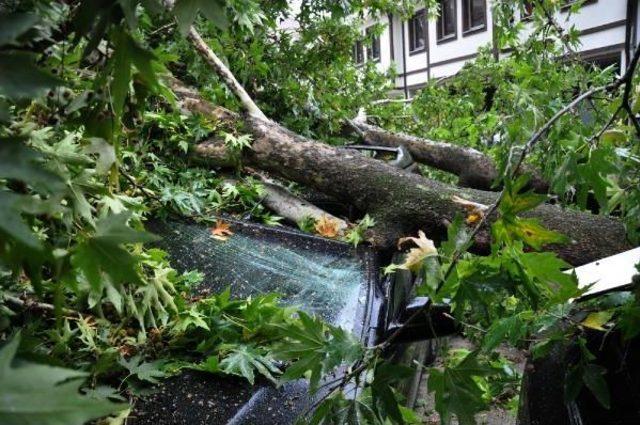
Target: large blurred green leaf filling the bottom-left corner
34	394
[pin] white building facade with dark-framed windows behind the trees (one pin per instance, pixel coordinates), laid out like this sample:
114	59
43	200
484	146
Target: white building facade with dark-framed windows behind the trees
422	49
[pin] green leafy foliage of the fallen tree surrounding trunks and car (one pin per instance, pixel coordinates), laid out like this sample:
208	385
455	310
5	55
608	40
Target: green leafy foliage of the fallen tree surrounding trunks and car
92	144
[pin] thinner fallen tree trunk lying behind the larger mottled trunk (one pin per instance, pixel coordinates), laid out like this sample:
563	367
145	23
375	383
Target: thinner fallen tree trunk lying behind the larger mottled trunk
473	168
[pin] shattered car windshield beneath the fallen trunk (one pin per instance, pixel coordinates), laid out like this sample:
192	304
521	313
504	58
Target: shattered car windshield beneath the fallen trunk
318	276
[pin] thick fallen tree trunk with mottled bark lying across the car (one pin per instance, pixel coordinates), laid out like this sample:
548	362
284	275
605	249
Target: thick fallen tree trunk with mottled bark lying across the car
399	201
